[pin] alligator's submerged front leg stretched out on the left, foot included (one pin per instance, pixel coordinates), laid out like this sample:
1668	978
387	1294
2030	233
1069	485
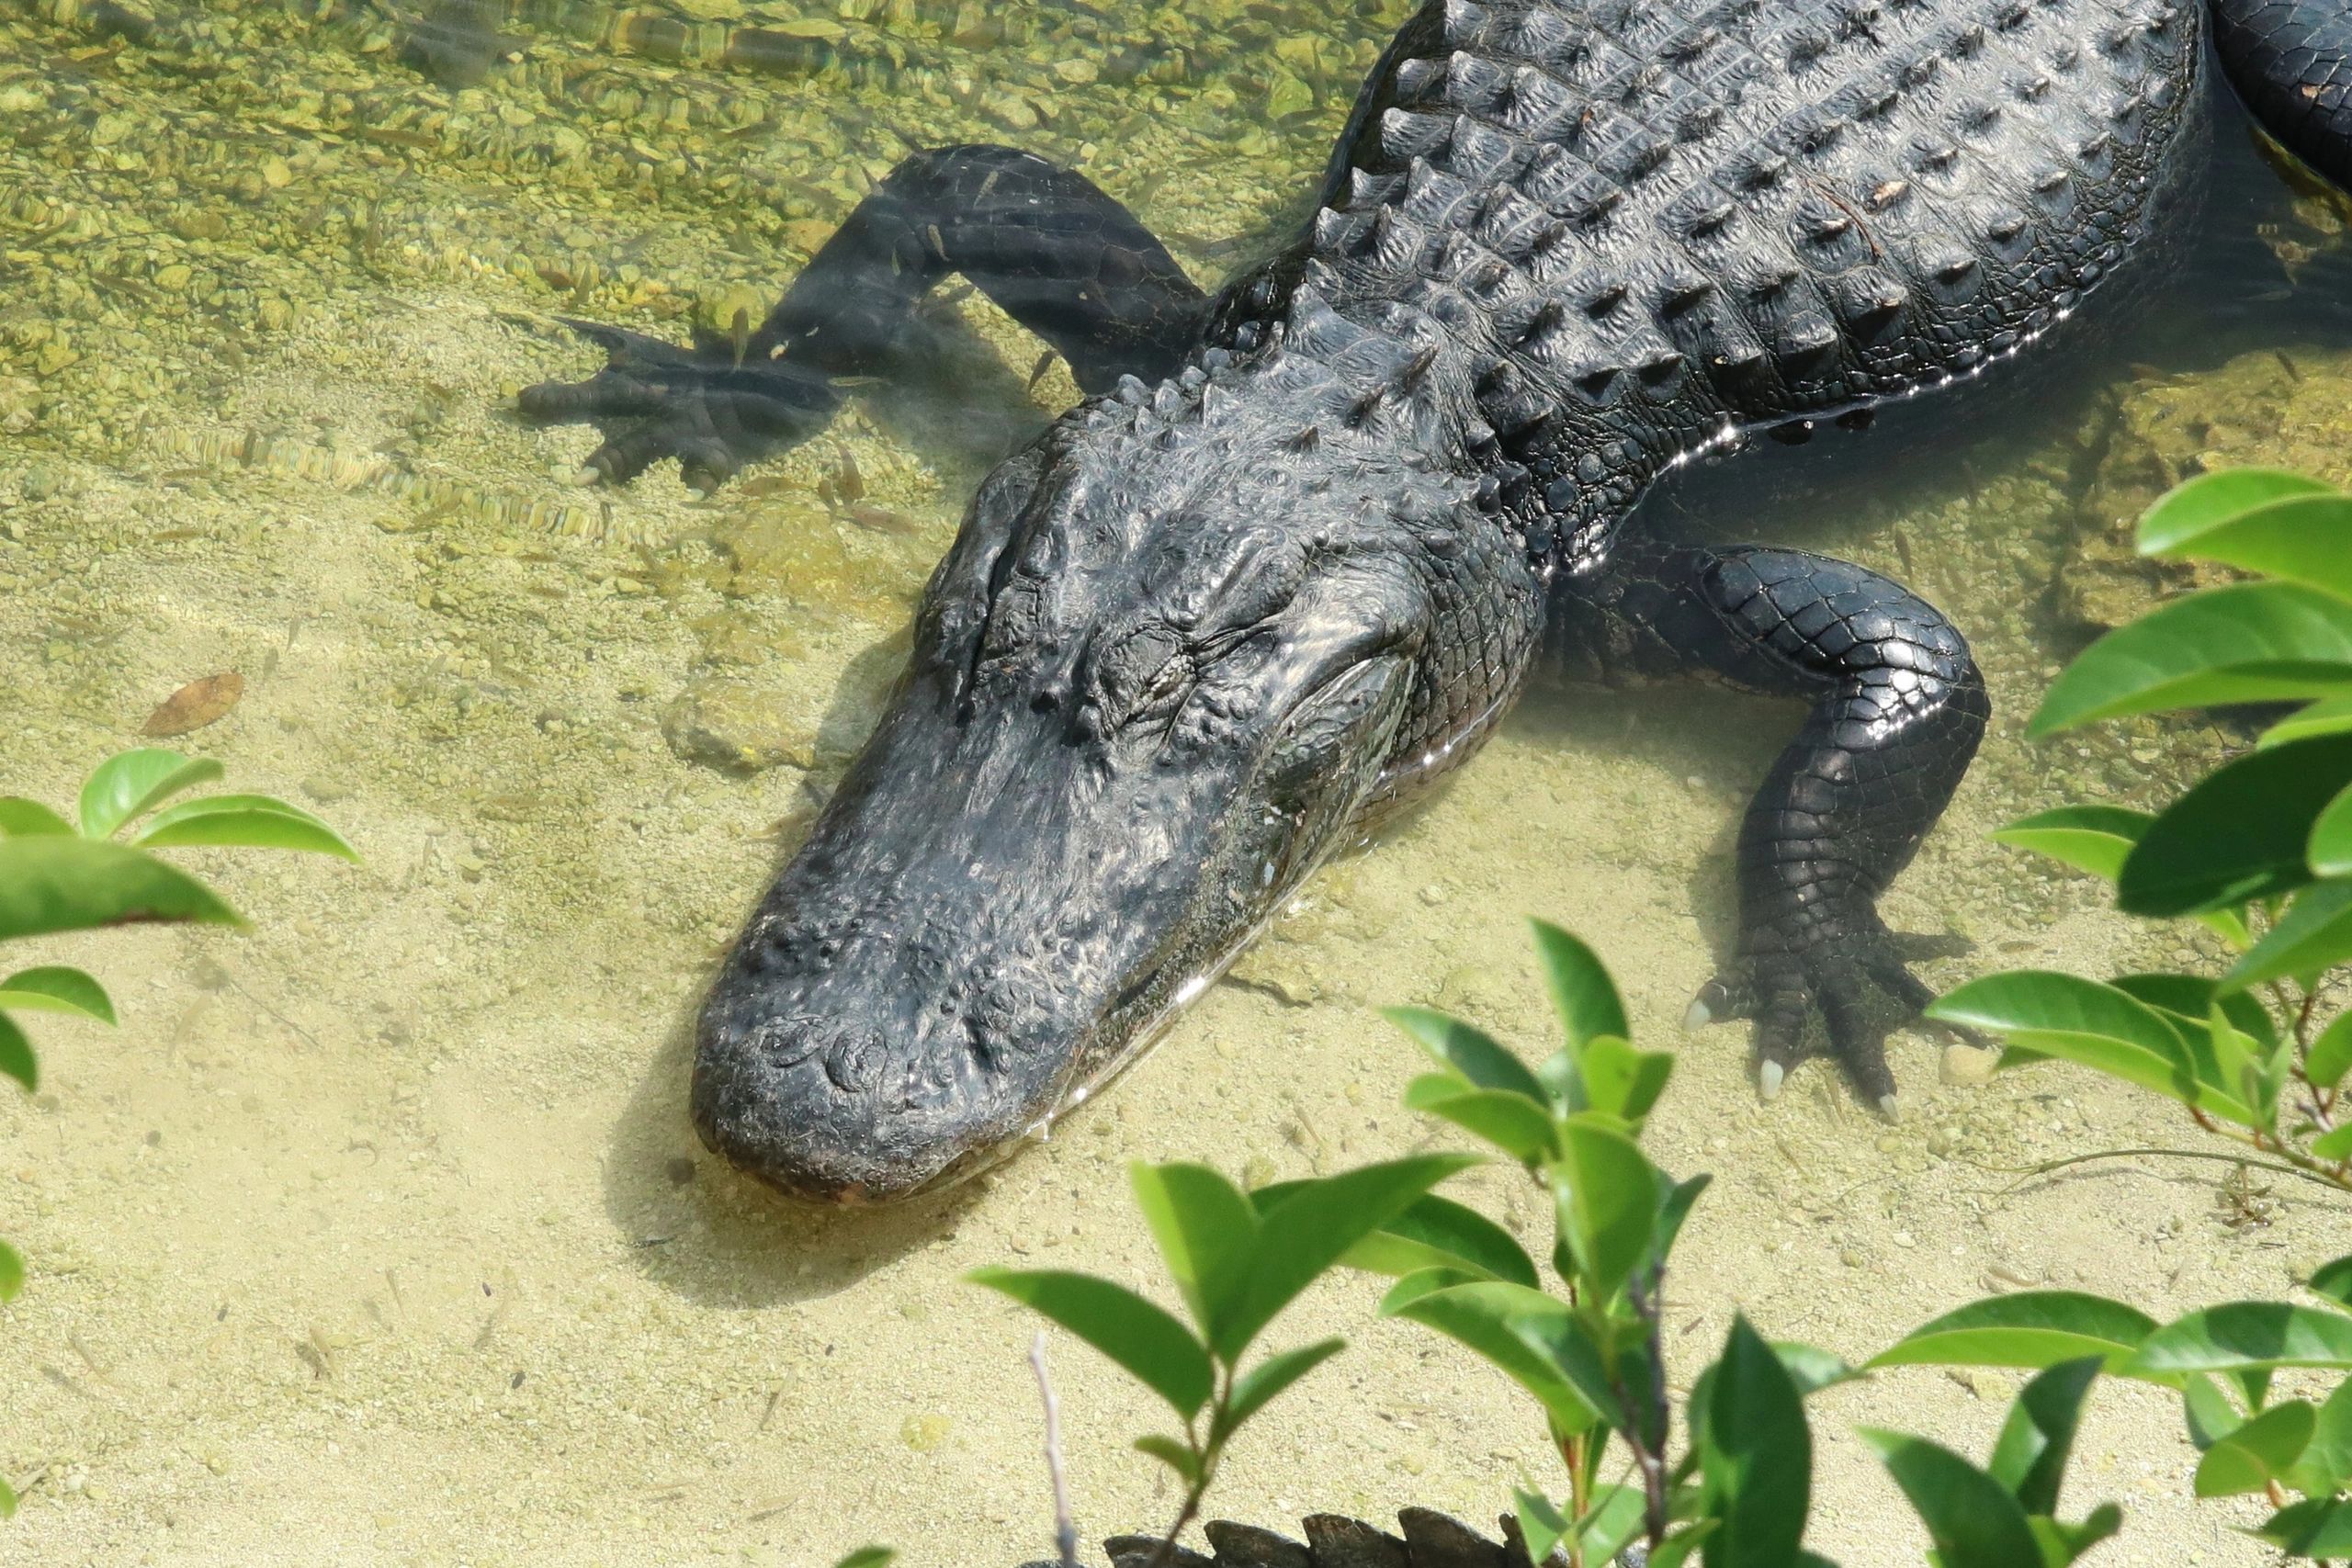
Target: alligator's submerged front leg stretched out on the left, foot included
1045	243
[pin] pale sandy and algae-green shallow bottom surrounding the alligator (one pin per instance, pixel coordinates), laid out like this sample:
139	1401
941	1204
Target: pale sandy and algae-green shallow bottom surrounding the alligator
380	1235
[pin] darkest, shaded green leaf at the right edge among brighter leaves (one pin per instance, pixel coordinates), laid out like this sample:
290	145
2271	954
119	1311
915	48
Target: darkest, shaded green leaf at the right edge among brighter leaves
2240	831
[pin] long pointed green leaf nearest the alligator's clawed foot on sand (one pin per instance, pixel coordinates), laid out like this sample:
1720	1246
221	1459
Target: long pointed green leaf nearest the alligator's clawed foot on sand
2094	1026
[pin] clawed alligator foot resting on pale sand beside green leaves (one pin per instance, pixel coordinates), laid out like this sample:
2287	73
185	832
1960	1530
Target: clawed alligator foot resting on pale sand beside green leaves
1857	981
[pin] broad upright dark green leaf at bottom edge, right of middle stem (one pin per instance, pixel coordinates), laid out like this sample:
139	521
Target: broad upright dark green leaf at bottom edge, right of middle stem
1758	1456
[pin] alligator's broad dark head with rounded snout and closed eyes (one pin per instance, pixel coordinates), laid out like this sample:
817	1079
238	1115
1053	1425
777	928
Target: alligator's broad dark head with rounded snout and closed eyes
1177	652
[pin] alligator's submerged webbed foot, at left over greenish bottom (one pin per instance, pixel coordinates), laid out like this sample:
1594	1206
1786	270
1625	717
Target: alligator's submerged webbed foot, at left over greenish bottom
714	406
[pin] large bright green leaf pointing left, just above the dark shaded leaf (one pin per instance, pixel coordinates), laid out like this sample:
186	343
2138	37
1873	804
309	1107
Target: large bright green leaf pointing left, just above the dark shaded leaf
2247	643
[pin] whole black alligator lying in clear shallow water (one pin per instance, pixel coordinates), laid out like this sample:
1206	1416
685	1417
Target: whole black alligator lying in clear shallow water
1307	537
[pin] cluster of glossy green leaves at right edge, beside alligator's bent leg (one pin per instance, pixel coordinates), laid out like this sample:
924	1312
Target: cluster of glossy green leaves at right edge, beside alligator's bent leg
2259	850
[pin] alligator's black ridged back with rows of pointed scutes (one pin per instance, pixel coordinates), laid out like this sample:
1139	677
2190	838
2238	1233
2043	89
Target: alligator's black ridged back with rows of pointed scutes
1648	225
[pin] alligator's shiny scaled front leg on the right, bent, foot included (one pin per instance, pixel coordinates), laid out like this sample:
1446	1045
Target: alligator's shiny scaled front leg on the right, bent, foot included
1897	711
